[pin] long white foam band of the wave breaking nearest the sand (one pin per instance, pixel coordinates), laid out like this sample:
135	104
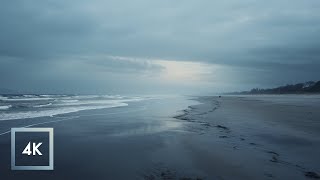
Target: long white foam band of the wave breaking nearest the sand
53	112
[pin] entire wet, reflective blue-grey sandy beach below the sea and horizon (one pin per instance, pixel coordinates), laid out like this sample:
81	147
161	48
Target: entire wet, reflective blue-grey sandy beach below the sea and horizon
181	137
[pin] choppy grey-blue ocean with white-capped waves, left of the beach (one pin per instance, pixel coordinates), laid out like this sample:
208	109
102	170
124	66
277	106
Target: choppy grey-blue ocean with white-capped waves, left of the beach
32	106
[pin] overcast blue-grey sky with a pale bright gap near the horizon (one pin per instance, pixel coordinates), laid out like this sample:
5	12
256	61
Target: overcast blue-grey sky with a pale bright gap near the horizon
159	46
